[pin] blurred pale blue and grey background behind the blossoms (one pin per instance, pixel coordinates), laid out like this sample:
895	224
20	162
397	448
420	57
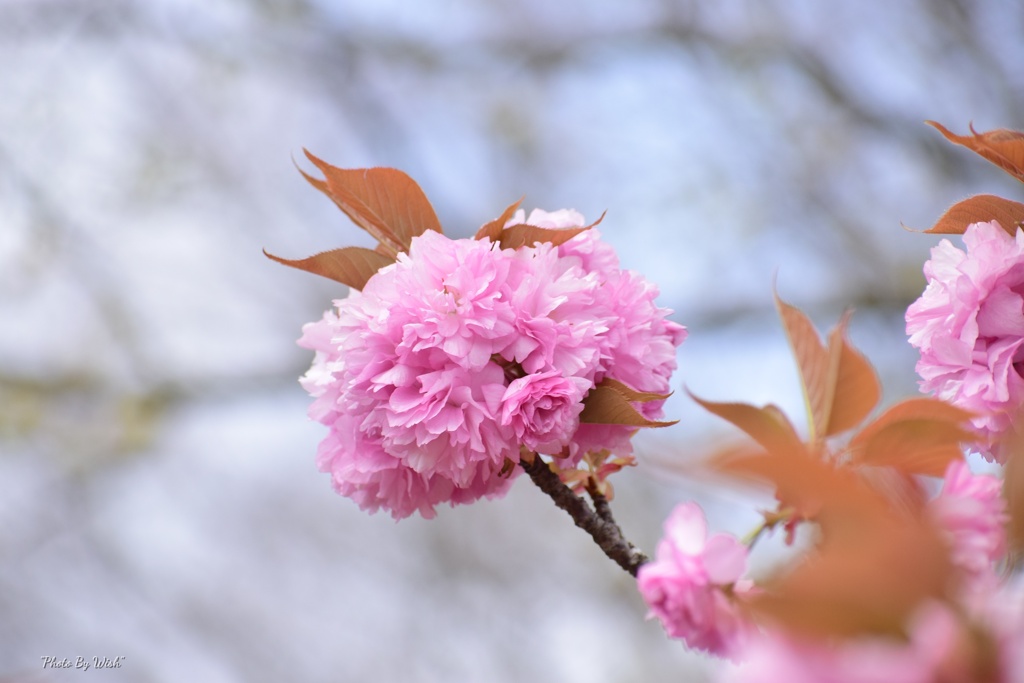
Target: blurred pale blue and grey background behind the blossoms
160	500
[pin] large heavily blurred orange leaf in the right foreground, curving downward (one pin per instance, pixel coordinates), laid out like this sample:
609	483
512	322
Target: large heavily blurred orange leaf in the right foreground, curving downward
878	560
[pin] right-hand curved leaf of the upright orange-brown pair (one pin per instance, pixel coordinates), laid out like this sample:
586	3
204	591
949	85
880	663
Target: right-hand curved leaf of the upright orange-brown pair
856	388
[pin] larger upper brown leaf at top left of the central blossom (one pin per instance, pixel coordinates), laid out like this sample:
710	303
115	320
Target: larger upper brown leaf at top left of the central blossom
385	202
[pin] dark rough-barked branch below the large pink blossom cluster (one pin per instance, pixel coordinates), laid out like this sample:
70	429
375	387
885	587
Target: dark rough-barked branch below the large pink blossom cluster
602	528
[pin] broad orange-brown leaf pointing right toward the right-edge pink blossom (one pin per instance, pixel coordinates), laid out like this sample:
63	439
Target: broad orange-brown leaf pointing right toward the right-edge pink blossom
916	437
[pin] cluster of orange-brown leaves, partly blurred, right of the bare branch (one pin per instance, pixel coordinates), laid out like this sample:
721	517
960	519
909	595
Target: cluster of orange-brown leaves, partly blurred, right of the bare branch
880	557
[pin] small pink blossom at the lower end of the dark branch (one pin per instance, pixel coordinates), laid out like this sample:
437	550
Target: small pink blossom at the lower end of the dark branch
693	585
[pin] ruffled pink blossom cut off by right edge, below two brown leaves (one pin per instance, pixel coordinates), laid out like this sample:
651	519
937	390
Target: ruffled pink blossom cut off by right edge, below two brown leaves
969	325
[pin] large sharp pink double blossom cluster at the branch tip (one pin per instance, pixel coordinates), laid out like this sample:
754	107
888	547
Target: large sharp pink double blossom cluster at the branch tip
452	359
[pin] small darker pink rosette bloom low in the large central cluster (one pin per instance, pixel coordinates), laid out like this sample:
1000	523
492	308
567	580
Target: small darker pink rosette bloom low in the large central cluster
543	410
